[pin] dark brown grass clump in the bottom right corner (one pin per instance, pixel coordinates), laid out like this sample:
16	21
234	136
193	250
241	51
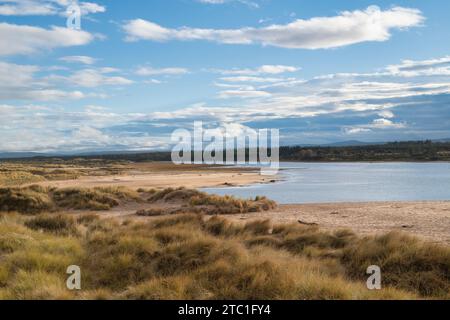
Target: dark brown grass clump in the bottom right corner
406	263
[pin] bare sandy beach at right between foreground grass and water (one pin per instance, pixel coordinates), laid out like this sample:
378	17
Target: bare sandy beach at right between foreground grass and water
428	220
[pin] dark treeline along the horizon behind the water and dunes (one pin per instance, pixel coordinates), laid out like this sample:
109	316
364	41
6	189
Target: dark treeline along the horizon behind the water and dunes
394	151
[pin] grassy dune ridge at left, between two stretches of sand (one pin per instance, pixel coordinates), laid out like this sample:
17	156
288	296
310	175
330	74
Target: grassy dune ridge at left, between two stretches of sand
36	199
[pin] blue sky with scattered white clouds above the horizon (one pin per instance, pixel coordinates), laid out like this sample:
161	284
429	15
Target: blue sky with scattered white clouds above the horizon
320	71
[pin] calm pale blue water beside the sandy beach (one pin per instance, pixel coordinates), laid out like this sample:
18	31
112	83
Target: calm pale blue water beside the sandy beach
353	182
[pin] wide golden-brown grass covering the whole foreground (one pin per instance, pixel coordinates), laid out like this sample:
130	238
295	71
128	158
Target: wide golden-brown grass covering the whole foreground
195	257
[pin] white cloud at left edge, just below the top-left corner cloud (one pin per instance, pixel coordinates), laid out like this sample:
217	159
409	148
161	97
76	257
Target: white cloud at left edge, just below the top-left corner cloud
21	39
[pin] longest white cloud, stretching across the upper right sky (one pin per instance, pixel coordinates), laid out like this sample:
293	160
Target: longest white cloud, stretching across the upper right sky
347	28
